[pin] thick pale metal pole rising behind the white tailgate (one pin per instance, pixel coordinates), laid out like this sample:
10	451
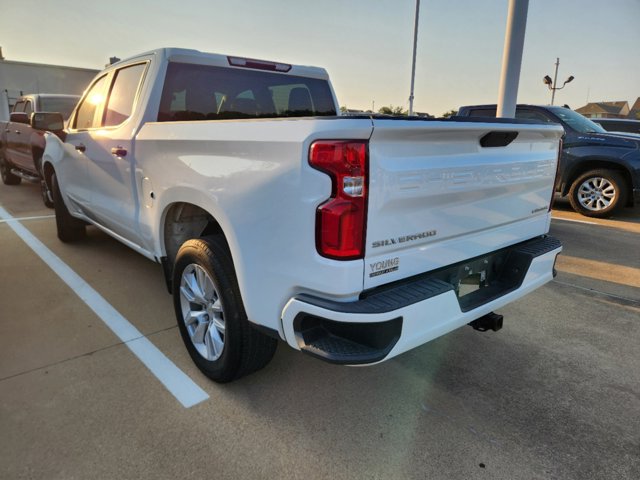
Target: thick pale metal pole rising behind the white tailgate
512	58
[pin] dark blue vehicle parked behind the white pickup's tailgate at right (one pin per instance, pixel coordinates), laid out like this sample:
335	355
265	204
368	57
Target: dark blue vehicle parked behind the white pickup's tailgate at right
599	170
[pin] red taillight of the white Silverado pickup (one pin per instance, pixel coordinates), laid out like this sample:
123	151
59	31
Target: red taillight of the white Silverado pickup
341	220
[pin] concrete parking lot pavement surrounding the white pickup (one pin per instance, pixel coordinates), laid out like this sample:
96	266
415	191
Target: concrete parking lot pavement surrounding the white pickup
555	394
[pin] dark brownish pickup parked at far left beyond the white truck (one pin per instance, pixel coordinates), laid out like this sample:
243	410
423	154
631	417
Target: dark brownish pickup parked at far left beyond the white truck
21	146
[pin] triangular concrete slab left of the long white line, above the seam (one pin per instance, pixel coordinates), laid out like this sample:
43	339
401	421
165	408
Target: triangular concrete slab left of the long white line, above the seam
31	330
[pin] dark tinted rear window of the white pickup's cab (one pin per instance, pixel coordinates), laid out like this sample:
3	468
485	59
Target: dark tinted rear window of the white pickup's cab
203	92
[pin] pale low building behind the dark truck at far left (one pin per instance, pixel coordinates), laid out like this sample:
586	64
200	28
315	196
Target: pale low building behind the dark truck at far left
17	78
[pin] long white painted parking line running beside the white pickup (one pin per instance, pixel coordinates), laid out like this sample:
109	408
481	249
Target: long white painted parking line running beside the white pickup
175	380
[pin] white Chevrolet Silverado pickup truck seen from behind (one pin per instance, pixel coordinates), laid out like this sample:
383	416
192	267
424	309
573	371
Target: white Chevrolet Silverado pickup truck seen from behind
353	239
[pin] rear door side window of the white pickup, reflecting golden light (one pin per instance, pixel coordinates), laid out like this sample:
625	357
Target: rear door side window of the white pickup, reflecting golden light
123	93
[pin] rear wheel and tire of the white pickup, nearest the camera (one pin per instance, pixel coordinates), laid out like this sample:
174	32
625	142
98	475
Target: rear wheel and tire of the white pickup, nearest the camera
210	313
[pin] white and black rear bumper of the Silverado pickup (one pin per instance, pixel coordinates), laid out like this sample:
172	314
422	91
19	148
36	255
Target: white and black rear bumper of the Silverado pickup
395	318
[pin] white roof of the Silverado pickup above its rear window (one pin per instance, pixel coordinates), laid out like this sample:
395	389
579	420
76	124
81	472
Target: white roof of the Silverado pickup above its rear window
186	55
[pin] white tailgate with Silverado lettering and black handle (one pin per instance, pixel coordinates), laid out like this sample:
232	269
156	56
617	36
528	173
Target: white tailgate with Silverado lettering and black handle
437	196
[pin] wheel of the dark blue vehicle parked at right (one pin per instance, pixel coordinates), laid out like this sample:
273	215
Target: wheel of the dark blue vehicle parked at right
598	193
